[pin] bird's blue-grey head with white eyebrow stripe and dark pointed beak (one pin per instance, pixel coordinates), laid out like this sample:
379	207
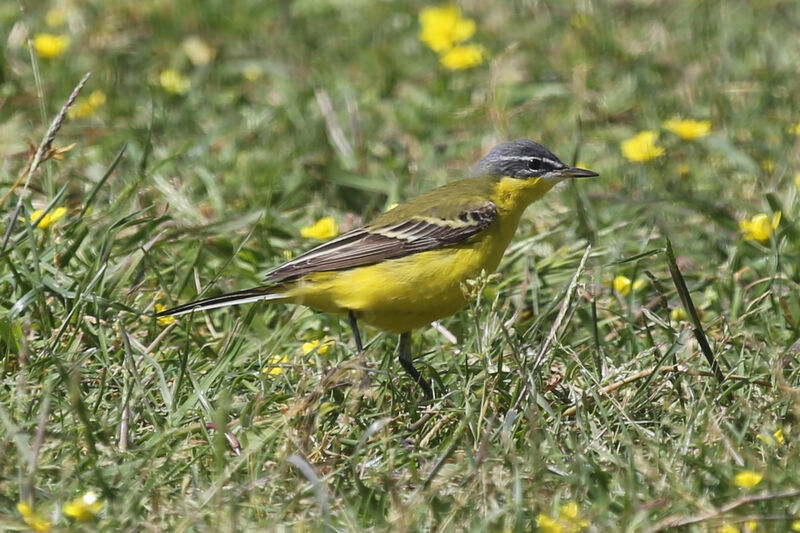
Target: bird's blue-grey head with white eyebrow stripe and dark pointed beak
524	159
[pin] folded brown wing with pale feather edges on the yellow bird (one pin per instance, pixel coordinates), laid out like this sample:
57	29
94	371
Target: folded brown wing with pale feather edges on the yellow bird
371	244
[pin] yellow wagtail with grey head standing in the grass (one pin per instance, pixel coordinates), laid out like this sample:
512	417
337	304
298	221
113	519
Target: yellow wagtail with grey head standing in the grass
404	270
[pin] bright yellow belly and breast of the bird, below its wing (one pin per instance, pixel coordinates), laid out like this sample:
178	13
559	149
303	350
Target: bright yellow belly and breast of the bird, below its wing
401	294
